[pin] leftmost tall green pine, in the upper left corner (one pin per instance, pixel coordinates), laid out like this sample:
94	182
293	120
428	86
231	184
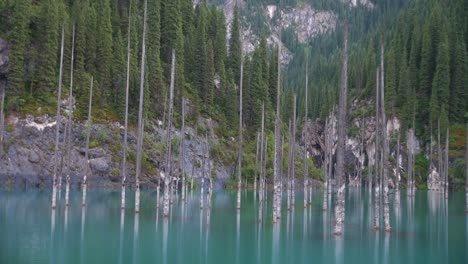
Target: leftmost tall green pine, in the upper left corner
19	42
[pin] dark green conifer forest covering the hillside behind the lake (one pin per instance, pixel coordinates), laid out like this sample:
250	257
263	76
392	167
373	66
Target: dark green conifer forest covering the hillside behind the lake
425	59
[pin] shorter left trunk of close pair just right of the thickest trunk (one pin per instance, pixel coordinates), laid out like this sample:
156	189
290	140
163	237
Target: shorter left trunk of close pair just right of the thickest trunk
377	156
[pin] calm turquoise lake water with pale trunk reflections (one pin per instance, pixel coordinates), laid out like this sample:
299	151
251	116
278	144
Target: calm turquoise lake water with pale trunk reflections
425	230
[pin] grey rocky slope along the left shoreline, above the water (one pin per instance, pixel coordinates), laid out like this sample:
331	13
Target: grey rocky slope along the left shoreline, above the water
29	158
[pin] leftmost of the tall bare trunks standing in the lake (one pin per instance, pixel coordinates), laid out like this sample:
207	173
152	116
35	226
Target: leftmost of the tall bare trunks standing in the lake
57	127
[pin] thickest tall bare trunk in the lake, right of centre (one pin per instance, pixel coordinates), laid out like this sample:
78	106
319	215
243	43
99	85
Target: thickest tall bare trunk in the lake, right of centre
340	173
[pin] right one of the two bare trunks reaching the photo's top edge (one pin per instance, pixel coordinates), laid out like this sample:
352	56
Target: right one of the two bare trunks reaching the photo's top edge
140	115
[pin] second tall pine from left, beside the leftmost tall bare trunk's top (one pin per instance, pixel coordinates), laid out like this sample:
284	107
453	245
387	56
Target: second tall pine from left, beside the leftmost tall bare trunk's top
45	75
